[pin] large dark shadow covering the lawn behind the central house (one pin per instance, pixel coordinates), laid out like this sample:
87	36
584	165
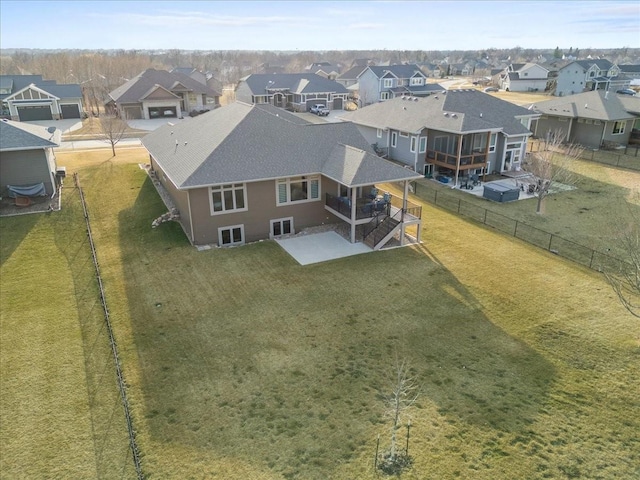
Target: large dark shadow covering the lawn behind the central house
242	349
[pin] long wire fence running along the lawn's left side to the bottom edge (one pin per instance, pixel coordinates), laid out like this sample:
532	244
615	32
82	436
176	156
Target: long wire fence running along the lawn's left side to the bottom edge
117	455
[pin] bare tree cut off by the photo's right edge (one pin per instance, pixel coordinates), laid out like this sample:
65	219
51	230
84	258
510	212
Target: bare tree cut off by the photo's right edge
625	277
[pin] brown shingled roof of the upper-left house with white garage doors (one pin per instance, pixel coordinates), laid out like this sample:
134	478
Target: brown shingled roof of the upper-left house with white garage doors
136	88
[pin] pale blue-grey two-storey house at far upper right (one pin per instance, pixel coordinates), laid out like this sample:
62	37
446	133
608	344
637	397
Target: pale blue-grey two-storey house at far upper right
585	75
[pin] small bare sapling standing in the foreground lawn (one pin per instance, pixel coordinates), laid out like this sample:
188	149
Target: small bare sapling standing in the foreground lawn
404	393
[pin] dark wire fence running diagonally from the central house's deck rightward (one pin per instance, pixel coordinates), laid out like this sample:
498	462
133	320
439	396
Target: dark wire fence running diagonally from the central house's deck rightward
549	241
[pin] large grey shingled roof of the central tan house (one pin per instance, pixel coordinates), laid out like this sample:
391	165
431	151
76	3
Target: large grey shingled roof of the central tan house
244	143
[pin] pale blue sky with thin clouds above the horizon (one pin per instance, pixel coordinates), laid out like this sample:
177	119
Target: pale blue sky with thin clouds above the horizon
319	25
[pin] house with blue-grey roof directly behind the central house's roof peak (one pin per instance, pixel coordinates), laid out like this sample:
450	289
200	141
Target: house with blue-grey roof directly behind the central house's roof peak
294	91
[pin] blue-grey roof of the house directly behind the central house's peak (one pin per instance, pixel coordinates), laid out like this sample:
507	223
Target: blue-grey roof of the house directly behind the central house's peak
258	83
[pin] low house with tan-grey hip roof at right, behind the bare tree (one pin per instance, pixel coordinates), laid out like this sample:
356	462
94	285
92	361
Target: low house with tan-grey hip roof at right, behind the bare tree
593	119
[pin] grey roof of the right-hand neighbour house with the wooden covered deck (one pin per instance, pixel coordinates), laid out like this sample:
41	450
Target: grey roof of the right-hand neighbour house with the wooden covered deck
457	111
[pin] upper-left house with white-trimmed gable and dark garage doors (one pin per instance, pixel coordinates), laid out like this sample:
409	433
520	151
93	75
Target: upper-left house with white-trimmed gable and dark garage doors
30	98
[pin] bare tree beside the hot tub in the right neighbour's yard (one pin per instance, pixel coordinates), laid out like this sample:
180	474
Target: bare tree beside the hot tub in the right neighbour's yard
550	166
